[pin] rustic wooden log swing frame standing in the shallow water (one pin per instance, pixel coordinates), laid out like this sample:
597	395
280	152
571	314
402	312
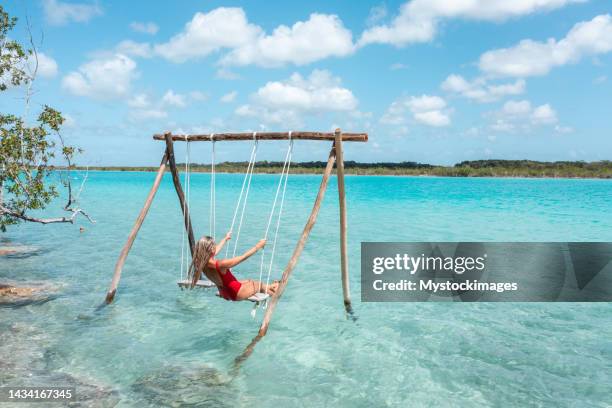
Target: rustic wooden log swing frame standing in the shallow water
335	157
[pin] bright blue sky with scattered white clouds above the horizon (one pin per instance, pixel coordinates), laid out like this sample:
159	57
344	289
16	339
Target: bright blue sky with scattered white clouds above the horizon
431	81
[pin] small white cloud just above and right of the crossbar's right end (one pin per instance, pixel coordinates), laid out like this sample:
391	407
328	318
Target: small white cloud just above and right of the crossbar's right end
425	109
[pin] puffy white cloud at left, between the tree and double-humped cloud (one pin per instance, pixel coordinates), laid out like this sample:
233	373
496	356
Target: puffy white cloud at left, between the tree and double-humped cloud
103	78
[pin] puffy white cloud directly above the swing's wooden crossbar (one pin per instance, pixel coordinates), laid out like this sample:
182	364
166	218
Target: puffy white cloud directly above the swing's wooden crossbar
289	100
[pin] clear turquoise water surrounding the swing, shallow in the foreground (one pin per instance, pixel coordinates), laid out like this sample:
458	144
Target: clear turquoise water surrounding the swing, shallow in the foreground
157	345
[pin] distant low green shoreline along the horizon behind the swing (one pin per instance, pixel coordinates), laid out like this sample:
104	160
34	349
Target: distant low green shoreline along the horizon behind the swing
479	168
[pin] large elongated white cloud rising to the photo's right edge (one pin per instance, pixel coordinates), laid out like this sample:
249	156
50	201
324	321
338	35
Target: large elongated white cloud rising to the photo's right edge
532	58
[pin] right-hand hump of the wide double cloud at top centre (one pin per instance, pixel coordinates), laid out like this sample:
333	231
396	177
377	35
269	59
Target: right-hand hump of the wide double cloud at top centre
319	37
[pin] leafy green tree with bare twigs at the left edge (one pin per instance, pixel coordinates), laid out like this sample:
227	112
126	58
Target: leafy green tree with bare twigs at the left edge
27	152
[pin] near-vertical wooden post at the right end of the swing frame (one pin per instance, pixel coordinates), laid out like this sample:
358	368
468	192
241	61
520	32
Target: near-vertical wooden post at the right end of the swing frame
343	245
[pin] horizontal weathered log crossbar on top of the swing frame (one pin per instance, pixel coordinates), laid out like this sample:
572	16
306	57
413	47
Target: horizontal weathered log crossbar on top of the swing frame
321	136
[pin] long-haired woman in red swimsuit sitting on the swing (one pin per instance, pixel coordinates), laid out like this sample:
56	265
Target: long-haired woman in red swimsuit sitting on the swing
218	270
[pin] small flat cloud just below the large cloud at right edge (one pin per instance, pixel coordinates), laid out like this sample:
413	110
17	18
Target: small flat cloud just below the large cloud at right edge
480	90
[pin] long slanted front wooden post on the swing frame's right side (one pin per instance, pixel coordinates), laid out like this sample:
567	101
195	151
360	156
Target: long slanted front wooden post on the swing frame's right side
312	219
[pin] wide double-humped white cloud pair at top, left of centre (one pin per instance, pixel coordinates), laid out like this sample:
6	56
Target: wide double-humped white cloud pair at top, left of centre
228	29
